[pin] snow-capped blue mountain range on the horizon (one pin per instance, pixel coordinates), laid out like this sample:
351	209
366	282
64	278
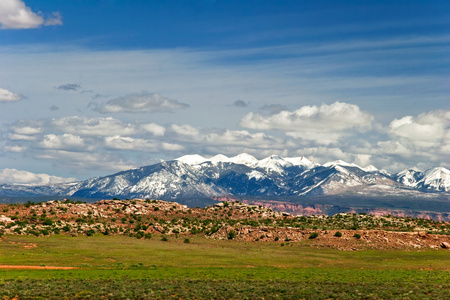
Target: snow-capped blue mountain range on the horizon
194	176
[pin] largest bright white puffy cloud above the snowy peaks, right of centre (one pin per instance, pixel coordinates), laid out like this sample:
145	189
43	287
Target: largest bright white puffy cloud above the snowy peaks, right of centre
325	124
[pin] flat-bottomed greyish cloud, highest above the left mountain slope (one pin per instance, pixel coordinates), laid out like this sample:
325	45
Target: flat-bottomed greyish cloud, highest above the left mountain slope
140	103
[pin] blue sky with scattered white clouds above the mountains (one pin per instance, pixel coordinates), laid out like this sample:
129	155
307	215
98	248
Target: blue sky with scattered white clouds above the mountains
88	88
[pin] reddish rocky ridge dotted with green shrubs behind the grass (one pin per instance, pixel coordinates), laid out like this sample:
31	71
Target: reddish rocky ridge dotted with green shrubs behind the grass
225	220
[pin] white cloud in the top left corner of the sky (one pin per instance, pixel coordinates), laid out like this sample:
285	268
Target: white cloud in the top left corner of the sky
14	14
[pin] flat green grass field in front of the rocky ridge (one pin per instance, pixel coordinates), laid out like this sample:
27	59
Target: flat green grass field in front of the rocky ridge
120	267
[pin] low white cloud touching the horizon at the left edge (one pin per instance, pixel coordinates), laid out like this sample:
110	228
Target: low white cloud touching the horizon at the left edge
13	176
